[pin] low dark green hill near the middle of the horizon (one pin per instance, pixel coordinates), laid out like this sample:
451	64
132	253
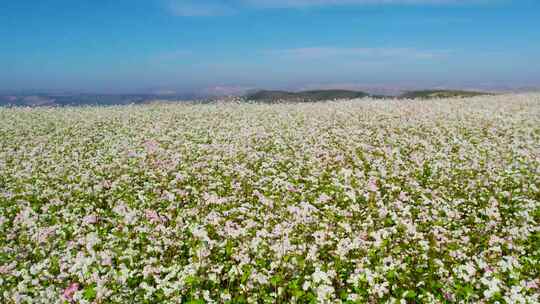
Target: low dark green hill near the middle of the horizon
313	95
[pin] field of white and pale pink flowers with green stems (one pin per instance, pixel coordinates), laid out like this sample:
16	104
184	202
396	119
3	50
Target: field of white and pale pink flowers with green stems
362	201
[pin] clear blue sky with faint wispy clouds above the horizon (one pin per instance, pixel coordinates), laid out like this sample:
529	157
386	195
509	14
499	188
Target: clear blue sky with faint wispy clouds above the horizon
227	46
